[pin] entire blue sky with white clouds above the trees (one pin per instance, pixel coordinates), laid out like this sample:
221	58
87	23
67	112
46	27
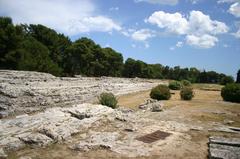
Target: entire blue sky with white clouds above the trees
189	33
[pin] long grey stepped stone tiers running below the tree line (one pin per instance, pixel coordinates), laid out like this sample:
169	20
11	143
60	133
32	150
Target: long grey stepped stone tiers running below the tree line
25	91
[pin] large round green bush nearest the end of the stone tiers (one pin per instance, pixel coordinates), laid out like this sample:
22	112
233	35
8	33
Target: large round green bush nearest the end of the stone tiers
161	92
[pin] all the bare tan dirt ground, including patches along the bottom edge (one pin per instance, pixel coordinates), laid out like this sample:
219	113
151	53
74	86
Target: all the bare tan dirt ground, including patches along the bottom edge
206	110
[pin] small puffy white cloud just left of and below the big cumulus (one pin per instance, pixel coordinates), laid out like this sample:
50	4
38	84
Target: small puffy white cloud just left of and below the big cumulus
142	35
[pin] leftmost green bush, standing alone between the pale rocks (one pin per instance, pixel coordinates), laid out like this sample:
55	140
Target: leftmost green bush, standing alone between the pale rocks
108	99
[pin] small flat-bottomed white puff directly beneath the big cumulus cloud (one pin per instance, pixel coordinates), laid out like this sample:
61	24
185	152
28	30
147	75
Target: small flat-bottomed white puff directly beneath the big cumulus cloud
204	41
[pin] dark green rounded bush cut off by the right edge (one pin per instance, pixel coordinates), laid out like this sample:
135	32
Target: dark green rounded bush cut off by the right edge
231	92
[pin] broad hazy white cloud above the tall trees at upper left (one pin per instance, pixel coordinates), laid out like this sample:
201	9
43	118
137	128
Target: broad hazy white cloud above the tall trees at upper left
68	16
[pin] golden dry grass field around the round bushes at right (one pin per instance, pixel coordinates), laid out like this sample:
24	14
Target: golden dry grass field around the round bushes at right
206	106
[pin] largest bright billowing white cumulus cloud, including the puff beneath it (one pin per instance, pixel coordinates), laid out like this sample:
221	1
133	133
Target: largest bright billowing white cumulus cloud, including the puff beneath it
200	29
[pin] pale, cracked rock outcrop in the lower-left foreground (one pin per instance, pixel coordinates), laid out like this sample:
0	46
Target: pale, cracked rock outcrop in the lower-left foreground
55	124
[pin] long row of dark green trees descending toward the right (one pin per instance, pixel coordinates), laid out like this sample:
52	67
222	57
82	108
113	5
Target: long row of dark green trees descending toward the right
39	48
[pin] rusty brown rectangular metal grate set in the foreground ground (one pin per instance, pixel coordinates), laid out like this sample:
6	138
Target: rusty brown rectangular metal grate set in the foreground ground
157	135
